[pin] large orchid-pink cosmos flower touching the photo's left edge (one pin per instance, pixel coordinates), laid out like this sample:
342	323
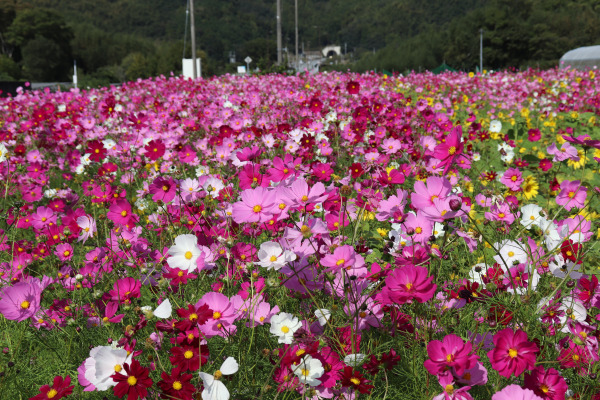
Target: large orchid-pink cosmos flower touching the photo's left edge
20	301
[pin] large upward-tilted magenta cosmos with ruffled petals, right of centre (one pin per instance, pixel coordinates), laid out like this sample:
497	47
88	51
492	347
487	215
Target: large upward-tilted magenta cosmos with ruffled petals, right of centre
407	284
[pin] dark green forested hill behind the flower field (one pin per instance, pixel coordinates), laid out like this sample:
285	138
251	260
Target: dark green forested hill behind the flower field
115	40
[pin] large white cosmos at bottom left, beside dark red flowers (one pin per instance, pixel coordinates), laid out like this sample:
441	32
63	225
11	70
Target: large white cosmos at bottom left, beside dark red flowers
103	362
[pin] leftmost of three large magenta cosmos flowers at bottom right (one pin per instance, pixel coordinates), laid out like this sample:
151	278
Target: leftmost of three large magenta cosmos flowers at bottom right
451	352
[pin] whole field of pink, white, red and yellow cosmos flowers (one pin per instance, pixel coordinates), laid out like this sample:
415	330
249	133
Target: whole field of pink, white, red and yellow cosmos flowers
330	236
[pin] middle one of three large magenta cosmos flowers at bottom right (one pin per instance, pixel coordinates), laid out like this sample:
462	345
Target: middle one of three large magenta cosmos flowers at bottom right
512	353
